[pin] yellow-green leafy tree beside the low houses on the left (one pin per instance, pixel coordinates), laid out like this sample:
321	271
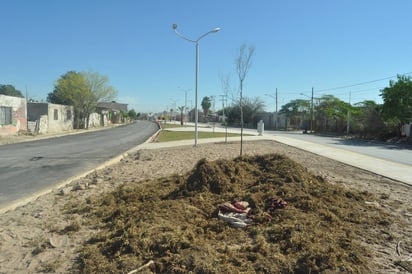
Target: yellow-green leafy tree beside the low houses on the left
82	90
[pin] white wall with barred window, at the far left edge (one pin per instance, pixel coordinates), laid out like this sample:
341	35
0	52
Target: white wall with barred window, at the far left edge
18	115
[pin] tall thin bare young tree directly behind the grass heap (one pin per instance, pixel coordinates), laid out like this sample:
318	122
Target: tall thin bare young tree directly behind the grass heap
243	64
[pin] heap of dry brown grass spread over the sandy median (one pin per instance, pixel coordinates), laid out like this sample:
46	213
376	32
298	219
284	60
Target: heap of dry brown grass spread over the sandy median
173	222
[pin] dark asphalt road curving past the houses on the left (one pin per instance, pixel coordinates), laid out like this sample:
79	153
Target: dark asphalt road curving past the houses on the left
32	167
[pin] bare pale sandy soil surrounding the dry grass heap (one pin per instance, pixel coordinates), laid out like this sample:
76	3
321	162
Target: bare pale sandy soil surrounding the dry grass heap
42	237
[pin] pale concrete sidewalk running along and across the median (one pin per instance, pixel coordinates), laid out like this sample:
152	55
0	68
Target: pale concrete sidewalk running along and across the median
395	171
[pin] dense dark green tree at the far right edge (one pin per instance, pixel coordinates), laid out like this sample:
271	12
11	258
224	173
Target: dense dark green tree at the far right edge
397	102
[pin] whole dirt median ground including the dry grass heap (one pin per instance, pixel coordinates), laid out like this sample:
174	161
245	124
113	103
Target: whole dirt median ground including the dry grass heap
158	207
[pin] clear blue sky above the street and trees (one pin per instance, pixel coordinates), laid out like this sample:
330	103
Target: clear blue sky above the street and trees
298	45
